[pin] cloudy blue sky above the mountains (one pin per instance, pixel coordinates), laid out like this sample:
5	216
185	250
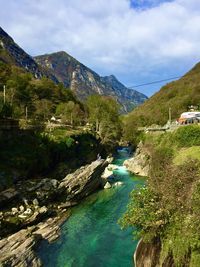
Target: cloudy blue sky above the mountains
138	41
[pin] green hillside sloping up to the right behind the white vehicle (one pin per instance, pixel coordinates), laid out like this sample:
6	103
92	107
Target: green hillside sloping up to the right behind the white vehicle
177	95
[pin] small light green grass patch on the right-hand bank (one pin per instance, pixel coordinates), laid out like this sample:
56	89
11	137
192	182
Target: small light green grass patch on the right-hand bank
184	154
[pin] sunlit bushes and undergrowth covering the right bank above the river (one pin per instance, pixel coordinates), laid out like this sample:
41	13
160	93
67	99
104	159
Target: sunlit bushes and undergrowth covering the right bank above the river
168	207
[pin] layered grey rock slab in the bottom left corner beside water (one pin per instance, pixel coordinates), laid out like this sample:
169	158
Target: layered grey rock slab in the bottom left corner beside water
18	250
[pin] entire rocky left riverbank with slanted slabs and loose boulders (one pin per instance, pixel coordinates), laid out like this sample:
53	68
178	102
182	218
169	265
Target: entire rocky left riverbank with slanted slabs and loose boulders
34	209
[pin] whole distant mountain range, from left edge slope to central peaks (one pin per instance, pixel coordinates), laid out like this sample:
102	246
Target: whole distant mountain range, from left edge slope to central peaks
61	67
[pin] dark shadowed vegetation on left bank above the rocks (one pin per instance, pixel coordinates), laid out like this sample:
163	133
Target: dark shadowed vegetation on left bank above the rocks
21	153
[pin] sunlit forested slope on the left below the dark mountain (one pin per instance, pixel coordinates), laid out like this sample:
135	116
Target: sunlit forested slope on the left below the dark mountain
34	98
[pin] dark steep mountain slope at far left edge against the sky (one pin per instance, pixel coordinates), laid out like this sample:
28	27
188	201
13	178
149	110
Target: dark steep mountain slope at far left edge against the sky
13	54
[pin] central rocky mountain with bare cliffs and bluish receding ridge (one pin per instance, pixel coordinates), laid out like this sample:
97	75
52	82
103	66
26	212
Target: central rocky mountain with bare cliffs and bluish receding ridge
84	81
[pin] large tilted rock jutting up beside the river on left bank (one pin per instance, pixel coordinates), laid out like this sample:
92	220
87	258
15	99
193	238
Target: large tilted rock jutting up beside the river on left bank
84	181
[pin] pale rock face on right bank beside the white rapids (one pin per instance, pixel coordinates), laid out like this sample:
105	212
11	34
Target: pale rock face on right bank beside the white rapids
140	163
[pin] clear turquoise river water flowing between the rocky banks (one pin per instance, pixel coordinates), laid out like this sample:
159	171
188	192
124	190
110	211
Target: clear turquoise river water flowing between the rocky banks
91	237
